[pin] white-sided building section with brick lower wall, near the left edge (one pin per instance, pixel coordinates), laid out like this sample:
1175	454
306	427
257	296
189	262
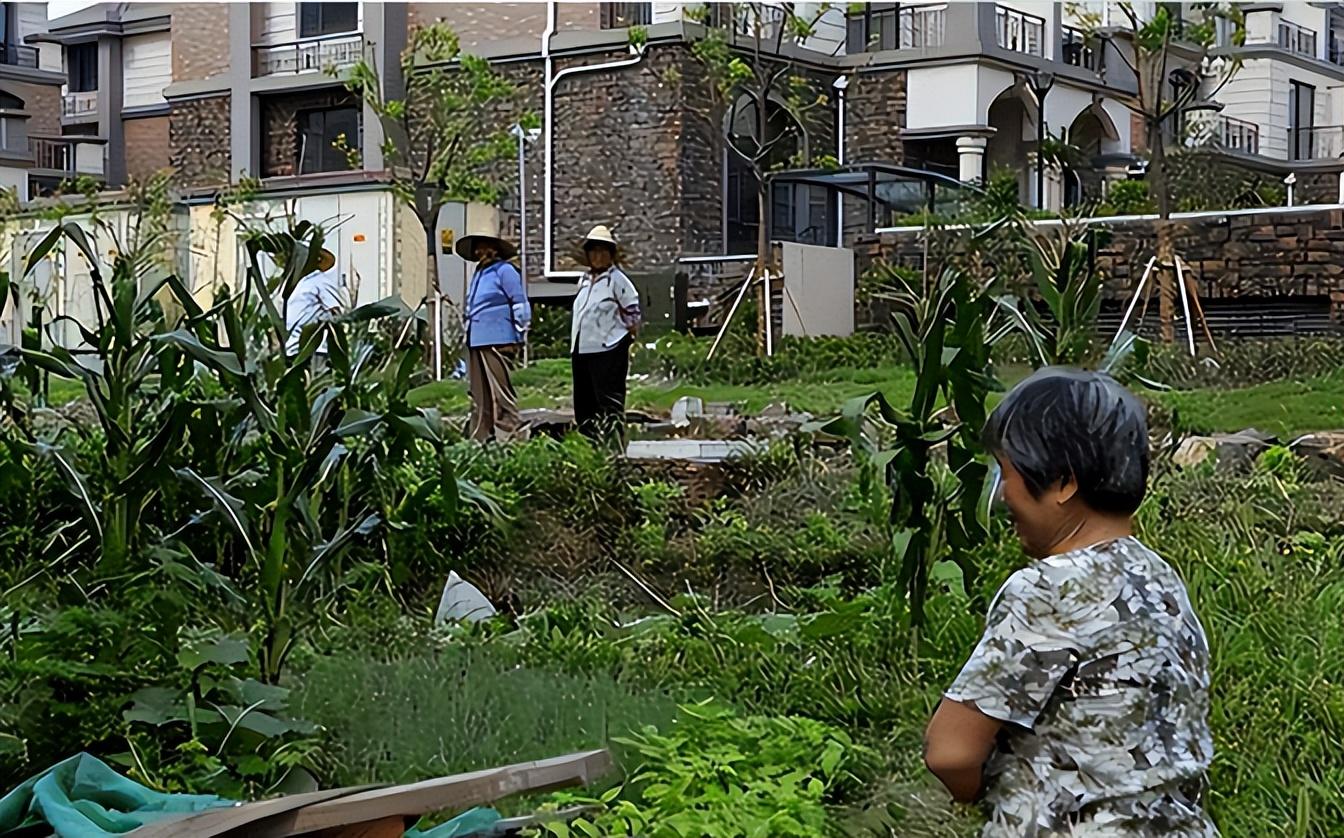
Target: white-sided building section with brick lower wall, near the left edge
118	60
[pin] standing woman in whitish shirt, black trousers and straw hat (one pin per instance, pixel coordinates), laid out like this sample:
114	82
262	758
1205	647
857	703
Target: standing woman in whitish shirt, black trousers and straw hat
607	316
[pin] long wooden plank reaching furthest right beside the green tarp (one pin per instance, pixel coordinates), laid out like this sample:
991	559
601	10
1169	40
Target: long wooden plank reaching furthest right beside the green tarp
416	800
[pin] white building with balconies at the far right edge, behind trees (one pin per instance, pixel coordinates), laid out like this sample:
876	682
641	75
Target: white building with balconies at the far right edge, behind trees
1284	108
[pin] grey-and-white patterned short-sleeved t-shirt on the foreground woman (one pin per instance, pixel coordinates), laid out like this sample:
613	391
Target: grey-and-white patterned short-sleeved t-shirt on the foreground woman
1100	665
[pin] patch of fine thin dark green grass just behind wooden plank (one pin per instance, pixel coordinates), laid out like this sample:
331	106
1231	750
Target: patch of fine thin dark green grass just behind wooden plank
455	710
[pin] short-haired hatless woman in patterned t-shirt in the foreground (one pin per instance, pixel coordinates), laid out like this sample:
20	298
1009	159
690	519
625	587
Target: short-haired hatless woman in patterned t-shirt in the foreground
1084	710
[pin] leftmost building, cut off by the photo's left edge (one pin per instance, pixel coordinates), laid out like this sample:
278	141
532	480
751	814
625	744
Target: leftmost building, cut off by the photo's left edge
30	100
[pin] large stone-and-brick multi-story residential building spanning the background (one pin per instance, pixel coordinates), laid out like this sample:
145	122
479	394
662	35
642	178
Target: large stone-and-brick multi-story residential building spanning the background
632	138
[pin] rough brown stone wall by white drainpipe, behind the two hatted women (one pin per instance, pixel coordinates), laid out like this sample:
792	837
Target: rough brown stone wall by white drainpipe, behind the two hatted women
636	148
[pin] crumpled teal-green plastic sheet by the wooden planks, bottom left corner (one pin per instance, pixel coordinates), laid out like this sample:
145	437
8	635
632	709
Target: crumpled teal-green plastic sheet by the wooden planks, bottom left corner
84	798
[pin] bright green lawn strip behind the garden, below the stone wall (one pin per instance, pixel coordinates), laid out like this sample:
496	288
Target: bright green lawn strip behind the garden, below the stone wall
1287	409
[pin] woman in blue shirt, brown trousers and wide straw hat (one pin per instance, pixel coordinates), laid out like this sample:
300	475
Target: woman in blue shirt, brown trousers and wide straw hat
498	316
